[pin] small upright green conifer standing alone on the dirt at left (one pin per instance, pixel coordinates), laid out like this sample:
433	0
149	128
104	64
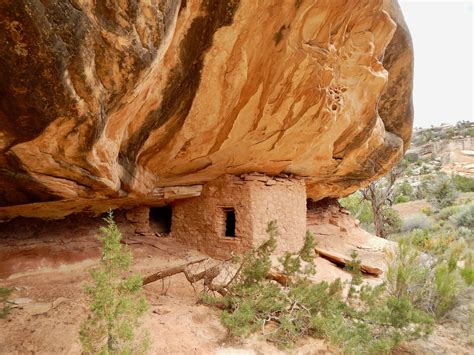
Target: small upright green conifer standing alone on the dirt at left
115	305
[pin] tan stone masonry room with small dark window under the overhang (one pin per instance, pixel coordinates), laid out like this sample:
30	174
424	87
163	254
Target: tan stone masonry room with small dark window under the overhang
256	199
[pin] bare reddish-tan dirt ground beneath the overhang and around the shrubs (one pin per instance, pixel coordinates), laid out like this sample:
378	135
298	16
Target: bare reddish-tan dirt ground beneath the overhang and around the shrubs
47	264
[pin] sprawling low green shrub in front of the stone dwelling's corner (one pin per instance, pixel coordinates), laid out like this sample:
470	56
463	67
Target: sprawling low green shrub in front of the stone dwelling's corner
370	322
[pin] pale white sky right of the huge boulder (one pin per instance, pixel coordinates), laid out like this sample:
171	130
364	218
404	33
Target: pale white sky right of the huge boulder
442	32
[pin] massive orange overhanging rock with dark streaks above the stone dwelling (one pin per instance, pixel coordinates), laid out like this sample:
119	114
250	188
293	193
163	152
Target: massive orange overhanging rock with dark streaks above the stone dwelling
111	99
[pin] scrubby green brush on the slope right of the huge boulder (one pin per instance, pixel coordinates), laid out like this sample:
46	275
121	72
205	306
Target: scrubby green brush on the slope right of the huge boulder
433	226
